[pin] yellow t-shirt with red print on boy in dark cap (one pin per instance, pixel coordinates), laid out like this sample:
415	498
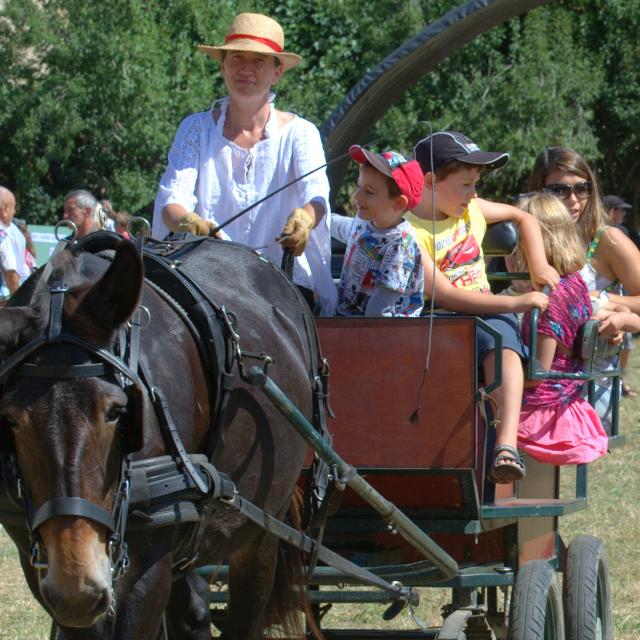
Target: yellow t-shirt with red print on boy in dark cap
456	247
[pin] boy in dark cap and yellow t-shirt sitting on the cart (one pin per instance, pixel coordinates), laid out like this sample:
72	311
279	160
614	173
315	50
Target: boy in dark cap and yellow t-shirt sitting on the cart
449	224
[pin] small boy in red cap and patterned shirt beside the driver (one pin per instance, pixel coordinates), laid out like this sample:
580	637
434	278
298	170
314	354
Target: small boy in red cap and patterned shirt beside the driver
382	269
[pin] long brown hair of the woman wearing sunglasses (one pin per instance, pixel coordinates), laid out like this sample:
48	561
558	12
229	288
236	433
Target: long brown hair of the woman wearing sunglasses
569	161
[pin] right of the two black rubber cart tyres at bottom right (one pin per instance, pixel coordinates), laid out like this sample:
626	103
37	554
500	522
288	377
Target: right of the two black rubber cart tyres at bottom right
587	591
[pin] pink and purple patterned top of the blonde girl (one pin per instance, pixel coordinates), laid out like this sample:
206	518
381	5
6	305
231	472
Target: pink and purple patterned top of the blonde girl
569	308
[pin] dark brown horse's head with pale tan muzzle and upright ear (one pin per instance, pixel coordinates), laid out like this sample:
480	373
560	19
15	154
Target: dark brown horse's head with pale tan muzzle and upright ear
67	431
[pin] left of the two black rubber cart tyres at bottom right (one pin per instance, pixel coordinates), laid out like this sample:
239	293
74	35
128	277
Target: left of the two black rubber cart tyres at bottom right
536	604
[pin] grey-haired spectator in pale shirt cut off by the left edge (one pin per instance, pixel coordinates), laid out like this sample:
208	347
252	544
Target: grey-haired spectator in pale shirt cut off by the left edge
12	247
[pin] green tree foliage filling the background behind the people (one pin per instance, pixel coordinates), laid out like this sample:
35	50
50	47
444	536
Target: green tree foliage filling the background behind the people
93	92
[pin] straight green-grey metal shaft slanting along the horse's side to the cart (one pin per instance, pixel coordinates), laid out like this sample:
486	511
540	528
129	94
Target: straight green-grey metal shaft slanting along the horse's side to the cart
417	538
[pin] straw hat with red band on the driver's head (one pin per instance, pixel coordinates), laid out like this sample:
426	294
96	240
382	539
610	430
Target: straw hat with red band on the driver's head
257	33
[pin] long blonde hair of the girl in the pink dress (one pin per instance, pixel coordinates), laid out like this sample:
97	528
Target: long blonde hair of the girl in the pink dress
562	244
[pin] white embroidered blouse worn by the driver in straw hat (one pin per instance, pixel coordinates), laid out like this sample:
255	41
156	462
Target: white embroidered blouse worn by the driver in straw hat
216	178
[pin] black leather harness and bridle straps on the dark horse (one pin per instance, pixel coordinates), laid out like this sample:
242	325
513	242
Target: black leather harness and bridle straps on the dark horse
178	488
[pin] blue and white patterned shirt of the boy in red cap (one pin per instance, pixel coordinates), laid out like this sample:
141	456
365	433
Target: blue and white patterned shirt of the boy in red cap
387	258
